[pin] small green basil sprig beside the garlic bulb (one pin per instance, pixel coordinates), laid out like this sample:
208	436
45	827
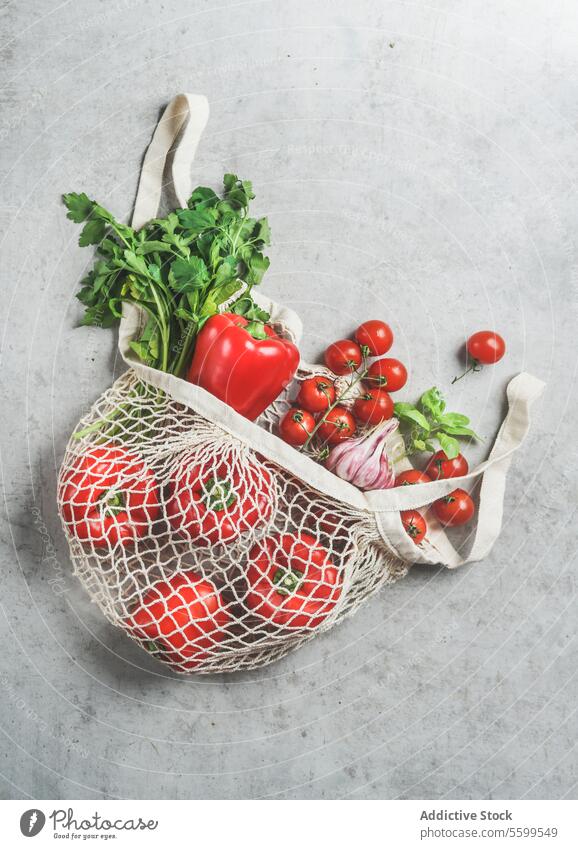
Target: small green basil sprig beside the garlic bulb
421	425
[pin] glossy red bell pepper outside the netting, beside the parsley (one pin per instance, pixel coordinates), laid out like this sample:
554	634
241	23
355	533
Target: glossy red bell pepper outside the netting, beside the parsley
244	363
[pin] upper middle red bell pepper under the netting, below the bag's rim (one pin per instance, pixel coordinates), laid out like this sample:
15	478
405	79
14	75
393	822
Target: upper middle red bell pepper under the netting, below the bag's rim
216	503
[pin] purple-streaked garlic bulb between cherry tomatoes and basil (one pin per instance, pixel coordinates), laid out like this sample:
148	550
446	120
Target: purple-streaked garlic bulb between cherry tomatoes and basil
363	461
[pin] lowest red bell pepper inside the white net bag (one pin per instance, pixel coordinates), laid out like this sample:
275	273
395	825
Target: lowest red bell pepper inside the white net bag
183	616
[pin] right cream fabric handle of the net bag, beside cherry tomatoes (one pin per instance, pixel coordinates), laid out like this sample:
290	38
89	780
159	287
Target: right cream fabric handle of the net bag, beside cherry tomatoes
522	391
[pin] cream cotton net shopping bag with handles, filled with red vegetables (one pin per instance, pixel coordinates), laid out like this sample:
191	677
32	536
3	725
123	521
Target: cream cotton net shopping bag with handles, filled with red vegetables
207	539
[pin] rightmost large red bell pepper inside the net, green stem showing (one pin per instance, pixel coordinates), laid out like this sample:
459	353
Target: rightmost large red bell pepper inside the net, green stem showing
292	581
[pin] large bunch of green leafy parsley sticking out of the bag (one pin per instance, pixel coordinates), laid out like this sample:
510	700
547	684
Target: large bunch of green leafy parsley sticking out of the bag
180	269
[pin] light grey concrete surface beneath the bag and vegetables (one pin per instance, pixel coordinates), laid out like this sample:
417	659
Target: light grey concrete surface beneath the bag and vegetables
417	162
